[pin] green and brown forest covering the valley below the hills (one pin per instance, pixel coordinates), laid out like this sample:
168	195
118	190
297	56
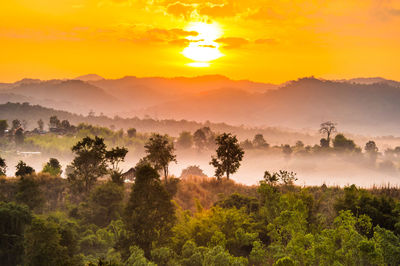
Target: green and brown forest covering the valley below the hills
91	212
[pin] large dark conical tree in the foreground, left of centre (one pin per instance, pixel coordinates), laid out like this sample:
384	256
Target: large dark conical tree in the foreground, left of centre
150	214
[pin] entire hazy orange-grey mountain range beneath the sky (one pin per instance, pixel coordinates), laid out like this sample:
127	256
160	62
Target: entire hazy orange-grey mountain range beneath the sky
360	105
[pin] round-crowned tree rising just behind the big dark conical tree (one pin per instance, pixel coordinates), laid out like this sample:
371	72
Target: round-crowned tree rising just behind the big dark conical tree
160	152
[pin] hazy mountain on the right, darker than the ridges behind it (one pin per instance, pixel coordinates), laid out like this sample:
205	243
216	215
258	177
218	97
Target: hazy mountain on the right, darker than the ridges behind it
305	103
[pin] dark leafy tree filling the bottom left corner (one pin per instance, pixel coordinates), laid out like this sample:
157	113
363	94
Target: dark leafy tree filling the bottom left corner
14	219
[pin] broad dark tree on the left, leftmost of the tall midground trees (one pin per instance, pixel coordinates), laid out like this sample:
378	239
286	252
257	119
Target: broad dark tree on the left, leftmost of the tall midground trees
89	163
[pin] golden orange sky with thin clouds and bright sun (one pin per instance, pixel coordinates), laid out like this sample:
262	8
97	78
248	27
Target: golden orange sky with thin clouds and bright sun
266	41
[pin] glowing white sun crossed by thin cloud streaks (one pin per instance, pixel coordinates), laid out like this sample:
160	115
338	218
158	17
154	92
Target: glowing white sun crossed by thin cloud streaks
203	48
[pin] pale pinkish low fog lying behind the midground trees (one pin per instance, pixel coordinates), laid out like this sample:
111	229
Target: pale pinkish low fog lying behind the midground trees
311	170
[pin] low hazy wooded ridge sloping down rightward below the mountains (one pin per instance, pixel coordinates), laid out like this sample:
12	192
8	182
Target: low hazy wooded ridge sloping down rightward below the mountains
32	113
